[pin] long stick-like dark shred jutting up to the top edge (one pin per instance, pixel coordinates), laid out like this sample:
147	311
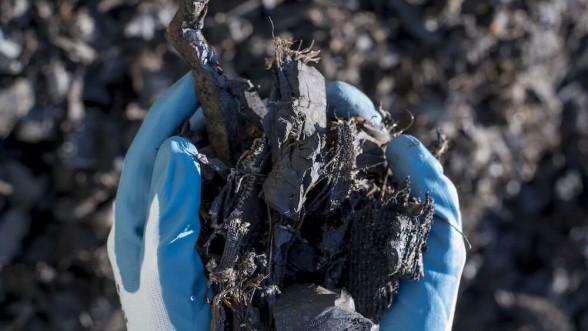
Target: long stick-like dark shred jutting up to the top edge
233	109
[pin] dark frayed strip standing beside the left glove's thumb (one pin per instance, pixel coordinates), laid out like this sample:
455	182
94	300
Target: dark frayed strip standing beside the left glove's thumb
240	216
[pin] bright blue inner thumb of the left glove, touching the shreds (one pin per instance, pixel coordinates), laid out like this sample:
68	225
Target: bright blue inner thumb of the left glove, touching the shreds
171	262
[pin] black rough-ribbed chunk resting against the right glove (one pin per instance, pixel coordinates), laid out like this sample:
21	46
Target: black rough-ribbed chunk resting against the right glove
386	241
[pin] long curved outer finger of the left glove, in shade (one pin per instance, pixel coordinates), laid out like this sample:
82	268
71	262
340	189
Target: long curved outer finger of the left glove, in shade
164	117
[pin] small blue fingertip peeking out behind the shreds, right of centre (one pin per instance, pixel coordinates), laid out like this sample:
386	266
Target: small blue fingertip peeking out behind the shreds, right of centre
345	100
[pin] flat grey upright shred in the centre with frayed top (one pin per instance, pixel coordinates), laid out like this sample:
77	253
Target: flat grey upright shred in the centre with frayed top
296	128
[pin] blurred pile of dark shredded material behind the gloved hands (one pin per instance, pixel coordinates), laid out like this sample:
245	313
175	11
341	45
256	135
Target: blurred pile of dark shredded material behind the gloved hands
505	80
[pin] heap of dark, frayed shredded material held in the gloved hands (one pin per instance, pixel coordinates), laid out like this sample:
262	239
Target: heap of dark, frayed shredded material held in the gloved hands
302	225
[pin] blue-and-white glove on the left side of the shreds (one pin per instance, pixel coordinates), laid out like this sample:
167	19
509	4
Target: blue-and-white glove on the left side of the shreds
159	275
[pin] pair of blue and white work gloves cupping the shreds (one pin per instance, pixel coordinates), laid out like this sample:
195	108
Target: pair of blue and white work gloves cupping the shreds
159	275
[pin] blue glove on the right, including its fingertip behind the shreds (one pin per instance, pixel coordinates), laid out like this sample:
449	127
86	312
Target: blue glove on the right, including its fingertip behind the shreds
428	304
